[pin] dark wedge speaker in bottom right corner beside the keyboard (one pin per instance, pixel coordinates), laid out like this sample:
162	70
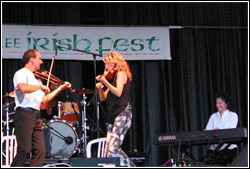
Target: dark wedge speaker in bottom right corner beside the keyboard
241	160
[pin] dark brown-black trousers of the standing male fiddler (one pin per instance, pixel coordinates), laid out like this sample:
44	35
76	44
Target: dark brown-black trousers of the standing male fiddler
30	138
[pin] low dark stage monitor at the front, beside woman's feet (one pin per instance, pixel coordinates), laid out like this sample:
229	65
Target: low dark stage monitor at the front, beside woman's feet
95	162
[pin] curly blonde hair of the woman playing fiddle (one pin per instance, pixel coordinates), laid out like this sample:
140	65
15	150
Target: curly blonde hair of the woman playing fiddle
119	63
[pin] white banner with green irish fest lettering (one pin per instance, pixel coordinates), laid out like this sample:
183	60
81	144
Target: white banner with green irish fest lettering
82	43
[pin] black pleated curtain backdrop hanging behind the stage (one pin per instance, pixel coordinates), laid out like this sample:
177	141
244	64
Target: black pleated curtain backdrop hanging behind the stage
209	55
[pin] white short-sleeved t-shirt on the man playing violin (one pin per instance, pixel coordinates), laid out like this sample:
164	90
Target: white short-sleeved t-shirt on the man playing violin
32	100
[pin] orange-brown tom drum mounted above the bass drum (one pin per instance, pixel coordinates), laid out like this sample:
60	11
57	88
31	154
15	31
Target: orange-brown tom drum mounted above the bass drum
70	112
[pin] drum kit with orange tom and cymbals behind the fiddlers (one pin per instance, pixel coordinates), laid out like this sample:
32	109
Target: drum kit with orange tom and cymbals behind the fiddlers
60	135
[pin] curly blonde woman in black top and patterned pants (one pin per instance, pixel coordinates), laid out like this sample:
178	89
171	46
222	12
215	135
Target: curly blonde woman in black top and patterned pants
118	109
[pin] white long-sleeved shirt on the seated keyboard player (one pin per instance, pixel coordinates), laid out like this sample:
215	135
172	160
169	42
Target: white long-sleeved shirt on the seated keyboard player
228	120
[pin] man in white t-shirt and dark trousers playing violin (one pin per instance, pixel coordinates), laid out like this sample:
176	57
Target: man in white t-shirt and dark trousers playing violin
29	94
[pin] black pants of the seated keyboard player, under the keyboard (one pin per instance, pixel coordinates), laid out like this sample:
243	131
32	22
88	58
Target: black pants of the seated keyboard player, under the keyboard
221	157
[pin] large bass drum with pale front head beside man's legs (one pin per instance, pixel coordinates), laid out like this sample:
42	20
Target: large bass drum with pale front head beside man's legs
60	139
